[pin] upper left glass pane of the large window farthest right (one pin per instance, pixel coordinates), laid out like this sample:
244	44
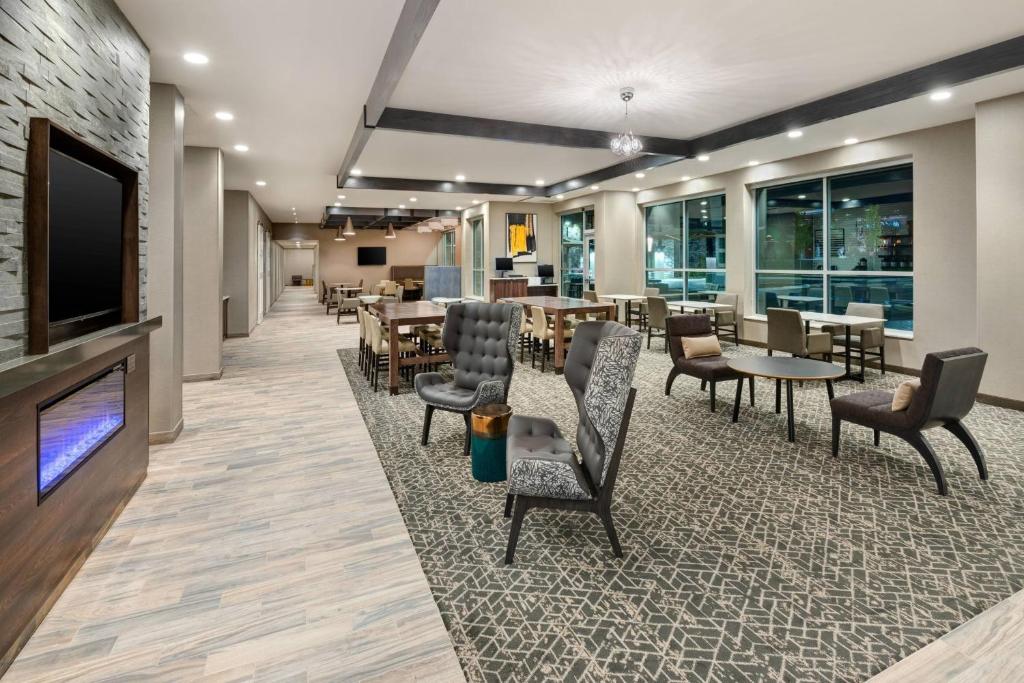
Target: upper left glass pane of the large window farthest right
790	227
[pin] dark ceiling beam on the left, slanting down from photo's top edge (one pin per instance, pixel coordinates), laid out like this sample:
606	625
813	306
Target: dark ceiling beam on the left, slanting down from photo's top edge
412	24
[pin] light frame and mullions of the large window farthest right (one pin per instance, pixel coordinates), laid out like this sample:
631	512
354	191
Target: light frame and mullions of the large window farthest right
826	274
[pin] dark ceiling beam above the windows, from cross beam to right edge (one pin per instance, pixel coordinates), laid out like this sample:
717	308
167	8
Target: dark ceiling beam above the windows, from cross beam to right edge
961	69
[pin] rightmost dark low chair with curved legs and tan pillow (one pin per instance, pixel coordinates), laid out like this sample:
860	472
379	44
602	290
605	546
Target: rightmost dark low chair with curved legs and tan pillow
950	382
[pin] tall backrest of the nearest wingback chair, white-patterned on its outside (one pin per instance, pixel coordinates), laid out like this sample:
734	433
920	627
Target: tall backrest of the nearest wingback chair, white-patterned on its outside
600	370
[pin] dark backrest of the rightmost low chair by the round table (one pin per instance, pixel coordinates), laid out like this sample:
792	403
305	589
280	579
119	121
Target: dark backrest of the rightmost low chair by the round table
950	382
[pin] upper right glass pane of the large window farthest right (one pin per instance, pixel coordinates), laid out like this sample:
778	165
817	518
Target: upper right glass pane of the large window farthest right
873	221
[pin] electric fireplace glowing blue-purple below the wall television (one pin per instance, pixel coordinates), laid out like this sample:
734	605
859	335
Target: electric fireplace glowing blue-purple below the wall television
77	423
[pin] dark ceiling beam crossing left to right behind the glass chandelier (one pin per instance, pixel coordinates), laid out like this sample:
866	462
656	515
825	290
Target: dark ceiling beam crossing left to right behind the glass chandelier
514	132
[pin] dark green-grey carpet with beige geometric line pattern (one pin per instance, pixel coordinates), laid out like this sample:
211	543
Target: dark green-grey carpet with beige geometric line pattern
747	558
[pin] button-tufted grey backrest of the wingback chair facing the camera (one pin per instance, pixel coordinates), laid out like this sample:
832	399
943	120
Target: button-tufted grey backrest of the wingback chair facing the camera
482	339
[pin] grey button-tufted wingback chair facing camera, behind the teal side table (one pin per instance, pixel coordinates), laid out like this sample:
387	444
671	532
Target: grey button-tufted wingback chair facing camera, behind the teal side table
481	339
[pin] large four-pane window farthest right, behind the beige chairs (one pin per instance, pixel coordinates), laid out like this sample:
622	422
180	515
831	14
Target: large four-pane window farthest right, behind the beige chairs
826	243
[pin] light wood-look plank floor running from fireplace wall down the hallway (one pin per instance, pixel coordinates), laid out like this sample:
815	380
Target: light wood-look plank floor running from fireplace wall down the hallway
265	545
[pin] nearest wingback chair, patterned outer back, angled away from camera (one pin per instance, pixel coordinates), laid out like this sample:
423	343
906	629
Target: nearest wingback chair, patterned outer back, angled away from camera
543	472
